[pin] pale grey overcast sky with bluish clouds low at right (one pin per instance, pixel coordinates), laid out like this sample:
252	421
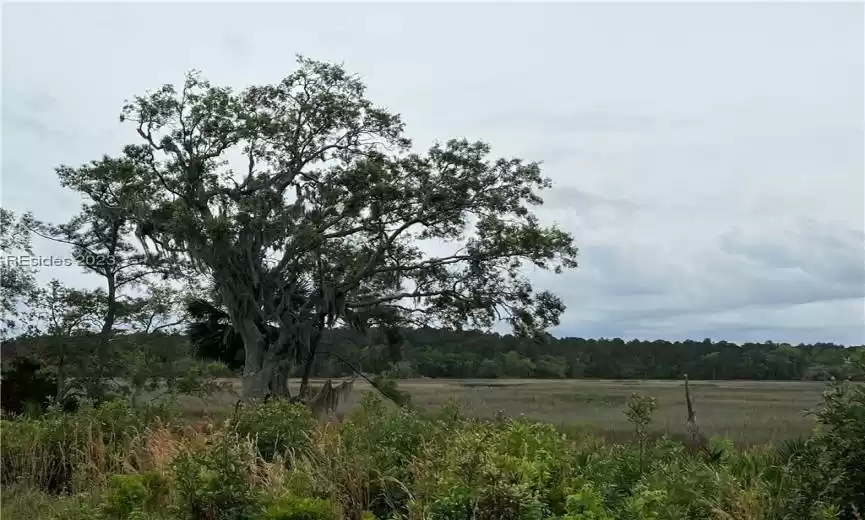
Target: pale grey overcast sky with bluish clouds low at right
707	157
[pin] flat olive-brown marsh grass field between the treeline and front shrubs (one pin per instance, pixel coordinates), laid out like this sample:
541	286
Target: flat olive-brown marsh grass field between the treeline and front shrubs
748	412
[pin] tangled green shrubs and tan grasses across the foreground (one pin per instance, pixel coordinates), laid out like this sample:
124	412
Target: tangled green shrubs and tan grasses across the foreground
274	461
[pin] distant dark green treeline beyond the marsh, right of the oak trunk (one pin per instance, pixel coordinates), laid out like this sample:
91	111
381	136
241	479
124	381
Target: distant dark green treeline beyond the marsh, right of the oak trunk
443	354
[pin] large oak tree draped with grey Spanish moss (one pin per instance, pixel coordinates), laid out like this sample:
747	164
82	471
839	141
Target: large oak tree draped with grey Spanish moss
306	205
